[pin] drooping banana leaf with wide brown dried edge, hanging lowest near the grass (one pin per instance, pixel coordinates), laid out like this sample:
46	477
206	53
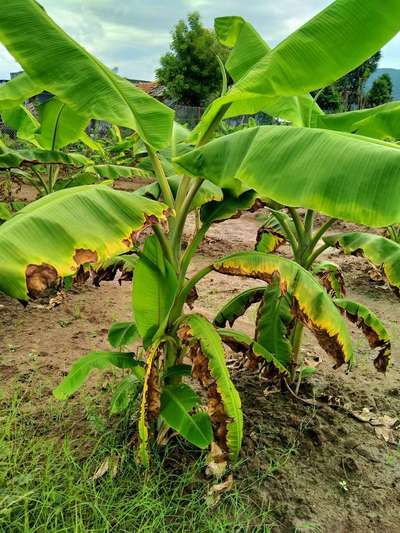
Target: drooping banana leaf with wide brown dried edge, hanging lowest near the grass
209	367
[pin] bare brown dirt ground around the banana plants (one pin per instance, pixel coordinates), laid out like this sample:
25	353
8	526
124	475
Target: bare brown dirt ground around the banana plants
326	471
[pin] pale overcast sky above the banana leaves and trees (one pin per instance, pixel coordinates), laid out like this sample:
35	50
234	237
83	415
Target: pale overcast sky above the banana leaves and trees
132	34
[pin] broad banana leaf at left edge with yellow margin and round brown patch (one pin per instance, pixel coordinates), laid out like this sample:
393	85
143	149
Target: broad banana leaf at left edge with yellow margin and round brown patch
53	236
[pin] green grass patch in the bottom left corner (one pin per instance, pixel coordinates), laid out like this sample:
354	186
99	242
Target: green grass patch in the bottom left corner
46	480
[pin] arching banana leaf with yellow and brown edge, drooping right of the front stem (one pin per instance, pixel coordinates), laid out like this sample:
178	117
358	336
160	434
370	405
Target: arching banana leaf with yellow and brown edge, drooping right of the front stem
311	304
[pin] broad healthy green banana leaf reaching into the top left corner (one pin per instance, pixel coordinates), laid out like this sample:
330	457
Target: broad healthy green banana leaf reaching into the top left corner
57	63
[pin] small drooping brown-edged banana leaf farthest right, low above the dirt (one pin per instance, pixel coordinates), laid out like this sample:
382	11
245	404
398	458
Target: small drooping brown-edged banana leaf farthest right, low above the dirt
373	329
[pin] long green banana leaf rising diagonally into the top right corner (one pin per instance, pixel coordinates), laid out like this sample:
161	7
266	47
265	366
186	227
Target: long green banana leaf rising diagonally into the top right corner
331	44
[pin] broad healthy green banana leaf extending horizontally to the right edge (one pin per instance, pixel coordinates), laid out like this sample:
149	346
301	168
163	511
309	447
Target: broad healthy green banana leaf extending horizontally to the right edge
338	174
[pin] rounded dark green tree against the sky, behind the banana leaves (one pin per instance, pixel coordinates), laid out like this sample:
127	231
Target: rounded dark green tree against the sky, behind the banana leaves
190	71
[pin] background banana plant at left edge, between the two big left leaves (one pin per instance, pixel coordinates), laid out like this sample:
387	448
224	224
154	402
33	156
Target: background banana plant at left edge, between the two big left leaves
57	127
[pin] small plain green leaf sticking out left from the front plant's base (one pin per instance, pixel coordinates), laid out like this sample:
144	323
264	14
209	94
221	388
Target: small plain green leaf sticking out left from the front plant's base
94	360
